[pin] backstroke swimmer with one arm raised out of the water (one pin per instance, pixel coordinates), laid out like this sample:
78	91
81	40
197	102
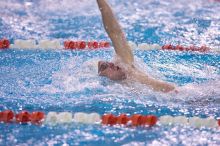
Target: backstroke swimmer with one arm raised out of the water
123	68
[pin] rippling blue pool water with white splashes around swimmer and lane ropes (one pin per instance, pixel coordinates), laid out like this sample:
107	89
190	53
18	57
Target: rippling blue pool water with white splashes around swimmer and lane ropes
49	80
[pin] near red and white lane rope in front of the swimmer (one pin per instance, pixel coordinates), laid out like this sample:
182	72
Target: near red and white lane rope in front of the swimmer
54	118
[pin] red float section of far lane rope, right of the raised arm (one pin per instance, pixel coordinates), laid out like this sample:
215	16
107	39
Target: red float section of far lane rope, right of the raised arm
182	48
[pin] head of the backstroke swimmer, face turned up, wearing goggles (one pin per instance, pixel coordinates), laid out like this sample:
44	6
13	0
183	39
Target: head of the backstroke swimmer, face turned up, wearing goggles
111	71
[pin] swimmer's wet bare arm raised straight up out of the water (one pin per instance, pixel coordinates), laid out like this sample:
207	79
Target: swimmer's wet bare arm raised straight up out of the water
115	33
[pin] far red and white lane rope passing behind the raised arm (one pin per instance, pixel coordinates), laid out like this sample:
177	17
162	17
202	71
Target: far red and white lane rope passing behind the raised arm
93	45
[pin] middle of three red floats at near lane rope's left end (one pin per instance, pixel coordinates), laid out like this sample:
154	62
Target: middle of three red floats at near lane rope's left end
23	117
